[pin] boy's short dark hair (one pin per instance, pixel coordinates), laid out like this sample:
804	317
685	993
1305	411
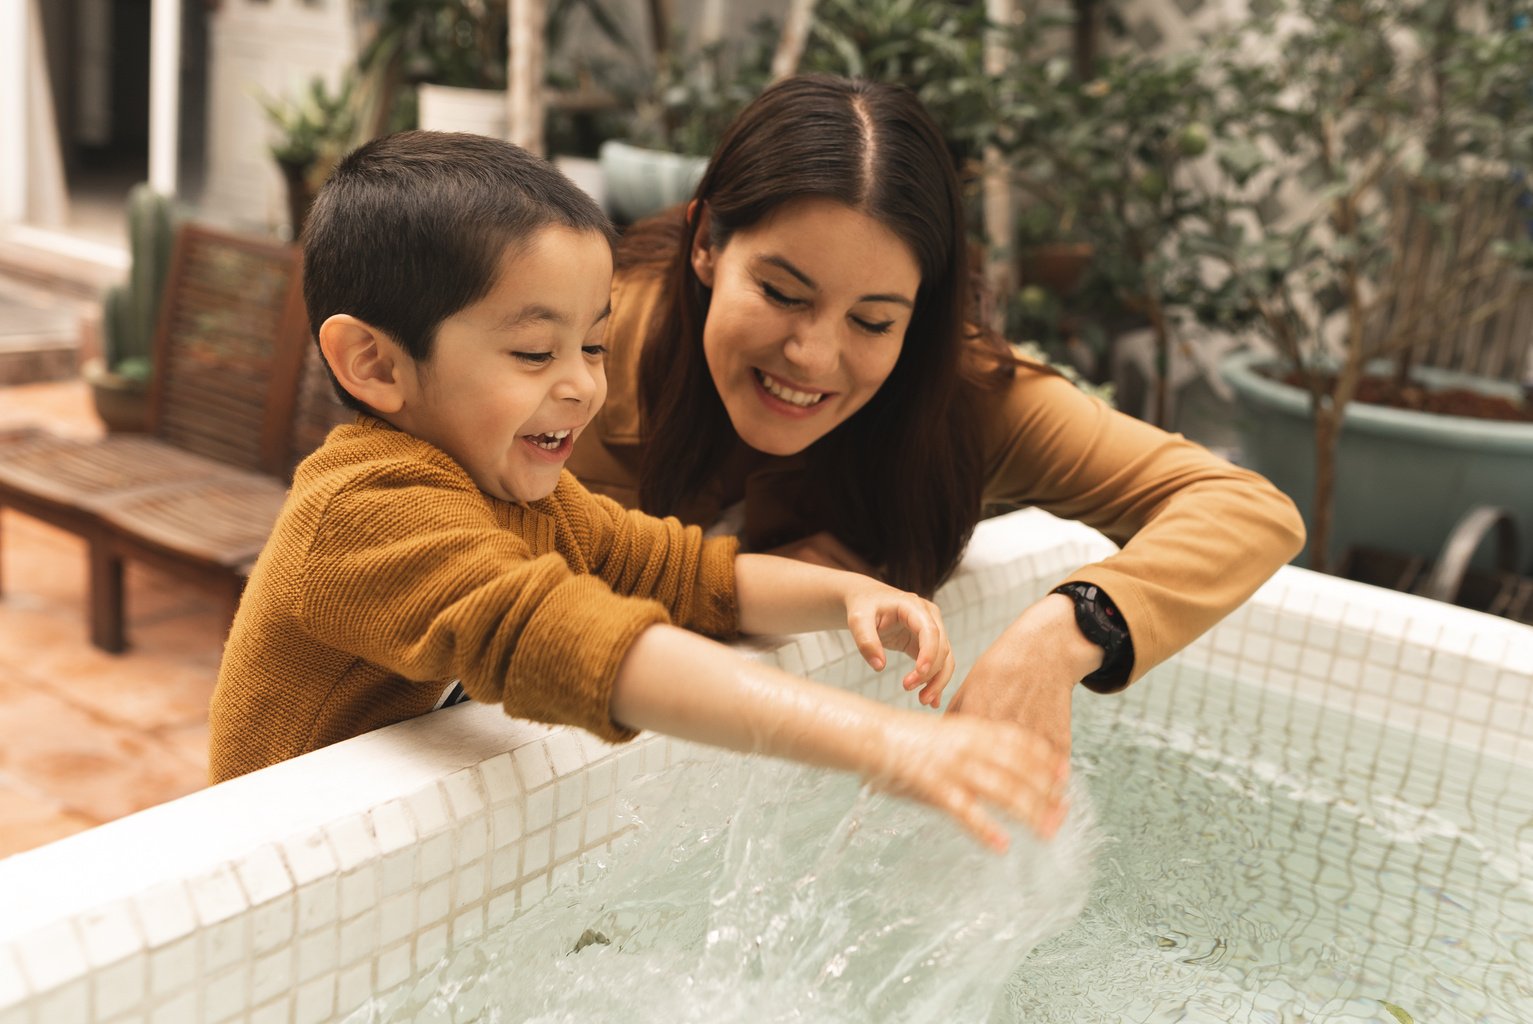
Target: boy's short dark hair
413	228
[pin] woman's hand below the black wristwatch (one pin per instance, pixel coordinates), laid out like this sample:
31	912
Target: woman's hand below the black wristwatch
1029	674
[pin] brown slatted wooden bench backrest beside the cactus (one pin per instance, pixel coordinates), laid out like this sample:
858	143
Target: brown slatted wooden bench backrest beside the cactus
229	349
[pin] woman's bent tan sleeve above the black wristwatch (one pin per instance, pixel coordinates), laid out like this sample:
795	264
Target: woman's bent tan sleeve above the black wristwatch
1198	534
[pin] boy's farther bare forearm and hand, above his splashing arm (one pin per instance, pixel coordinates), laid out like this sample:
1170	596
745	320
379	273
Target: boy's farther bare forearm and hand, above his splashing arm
783	596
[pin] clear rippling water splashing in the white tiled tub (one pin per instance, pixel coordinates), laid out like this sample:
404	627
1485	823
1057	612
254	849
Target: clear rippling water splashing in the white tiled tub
1252	859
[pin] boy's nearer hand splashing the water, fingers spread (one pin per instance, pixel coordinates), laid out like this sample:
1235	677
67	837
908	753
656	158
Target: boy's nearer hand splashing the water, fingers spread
962	766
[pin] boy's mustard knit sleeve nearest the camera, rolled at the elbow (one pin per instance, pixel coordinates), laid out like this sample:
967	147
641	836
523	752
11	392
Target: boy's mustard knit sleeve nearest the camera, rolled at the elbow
410	571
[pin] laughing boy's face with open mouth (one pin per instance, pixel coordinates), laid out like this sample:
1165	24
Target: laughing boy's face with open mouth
517	376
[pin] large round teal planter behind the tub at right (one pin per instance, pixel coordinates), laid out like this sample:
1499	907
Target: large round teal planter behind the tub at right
1403	479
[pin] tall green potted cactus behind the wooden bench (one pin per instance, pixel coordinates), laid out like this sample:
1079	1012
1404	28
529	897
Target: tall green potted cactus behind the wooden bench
130	312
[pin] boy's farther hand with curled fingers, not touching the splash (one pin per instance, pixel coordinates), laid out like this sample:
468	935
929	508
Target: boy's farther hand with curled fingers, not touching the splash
882	619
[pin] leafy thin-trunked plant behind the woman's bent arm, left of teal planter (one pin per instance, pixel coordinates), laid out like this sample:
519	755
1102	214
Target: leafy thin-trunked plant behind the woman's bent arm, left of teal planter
1111	168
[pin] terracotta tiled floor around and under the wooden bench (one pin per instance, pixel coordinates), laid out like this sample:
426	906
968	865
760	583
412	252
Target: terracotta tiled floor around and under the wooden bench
88	737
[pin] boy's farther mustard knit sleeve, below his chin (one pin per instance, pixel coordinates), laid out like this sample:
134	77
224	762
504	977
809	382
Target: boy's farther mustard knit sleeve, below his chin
660	559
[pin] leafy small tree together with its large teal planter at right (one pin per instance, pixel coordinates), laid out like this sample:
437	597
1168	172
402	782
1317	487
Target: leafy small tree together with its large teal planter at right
1407	125
